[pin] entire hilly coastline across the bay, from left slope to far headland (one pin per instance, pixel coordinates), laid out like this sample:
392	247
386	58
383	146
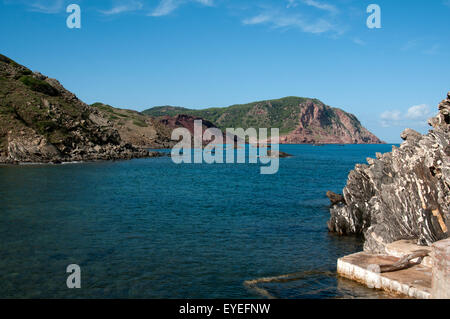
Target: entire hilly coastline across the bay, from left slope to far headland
42	122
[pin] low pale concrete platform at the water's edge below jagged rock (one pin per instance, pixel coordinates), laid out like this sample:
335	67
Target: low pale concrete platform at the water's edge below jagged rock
414	282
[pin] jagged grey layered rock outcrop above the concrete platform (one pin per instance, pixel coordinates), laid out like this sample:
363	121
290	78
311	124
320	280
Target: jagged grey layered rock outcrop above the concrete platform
404	194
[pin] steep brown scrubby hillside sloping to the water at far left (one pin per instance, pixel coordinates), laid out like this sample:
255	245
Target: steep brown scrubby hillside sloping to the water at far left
40	121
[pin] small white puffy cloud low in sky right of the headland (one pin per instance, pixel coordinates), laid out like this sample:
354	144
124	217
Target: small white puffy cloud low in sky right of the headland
415	116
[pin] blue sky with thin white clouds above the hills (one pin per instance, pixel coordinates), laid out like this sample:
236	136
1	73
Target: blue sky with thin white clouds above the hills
207	53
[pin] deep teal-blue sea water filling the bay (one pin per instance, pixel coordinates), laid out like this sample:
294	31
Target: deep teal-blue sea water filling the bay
148	228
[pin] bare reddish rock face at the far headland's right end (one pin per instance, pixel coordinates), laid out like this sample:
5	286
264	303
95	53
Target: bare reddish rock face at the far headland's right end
319	123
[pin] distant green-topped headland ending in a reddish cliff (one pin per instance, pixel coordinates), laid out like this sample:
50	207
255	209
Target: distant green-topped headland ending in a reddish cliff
300	120
